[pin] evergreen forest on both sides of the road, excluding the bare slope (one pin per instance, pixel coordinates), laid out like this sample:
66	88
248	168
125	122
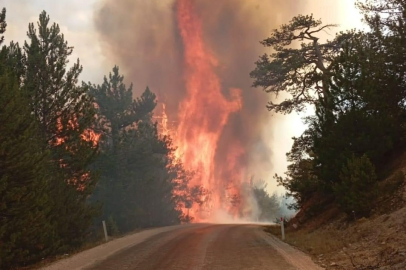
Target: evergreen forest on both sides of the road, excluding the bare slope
73	153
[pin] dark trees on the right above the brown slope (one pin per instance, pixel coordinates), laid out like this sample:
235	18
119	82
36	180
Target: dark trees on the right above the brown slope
356	84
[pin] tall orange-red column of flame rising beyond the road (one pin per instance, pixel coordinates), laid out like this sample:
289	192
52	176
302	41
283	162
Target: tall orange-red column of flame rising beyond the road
203	114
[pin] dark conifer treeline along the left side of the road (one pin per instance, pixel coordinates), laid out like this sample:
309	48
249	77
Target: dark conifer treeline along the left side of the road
73	154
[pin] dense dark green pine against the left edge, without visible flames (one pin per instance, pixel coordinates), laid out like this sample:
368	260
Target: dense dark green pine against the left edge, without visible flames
26	233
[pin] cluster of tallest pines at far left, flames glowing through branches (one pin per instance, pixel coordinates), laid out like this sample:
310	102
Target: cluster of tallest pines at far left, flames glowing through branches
46	152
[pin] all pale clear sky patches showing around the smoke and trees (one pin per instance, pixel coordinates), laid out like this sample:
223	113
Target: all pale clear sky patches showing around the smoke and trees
77	21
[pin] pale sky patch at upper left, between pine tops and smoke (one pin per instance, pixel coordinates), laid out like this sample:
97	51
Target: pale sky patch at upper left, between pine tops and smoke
75	18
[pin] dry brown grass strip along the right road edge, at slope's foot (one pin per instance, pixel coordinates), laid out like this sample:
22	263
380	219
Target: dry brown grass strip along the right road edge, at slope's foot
376	243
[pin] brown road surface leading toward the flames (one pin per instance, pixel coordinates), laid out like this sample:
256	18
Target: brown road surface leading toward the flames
207	247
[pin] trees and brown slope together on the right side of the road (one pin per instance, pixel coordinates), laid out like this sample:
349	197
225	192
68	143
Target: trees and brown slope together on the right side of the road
347	170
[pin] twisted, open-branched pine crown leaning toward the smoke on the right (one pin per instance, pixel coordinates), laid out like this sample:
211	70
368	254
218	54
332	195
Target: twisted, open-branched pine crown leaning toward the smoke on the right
303	73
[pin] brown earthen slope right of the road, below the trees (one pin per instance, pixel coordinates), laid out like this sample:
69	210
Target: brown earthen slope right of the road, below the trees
339	241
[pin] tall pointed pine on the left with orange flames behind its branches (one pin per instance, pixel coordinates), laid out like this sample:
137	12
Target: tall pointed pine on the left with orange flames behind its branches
64	112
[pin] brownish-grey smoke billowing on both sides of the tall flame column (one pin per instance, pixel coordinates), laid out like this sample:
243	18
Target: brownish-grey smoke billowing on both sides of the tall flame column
143	38
